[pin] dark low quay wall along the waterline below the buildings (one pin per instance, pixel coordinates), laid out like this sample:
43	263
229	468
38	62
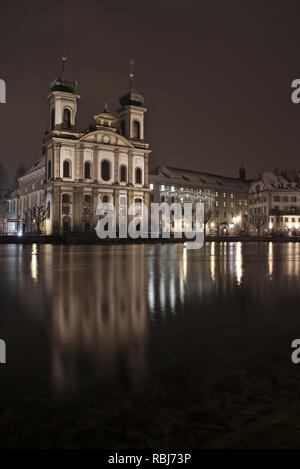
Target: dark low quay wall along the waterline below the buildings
92	239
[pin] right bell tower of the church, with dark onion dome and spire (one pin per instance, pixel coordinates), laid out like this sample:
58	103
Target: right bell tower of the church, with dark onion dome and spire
131	113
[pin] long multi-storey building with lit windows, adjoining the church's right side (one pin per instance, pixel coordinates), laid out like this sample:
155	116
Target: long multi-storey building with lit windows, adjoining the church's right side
226	197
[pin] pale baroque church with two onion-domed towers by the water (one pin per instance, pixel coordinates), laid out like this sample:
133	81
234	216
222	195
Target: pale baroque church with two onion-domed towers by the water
106	163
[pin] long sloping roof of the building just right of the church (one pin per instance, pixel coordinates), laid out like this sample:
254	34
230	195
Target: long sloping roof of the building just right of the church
186	177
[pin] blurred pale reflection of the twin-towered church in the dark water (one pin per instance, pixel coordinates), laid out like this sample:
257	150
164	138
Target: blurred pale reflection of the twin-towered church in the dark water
99	312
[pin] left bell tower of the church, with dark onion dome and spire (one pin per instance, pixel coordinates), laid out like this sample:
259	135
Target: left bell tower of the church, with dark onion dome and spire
63	102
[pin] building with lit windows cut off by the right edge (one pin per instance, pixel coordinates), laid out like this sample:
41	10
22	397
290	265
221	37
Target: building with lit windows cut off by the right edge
275	197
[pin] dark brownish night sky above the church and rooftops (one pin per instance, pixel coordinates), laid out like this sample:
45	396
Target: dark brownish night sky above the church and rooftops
216	76
